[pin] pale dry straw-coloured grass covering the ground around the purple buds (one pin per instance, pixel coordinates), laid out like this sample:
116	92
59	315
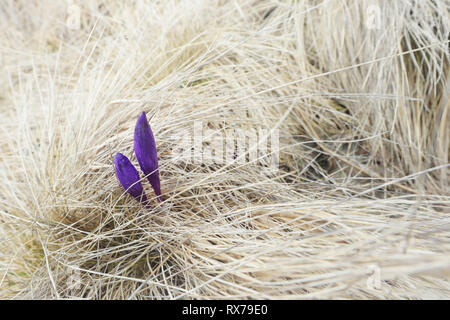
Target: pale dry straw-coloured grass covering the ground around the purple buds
357	91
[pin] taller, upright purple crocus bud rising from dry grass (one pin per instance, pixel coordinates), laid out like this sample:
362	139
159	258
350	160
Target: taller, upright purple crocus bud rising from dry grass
145	150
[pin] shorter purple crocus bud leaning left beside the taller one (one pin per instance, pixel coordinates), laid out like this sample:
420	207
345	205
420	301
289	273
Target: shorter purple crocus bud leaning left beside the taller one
129	177
